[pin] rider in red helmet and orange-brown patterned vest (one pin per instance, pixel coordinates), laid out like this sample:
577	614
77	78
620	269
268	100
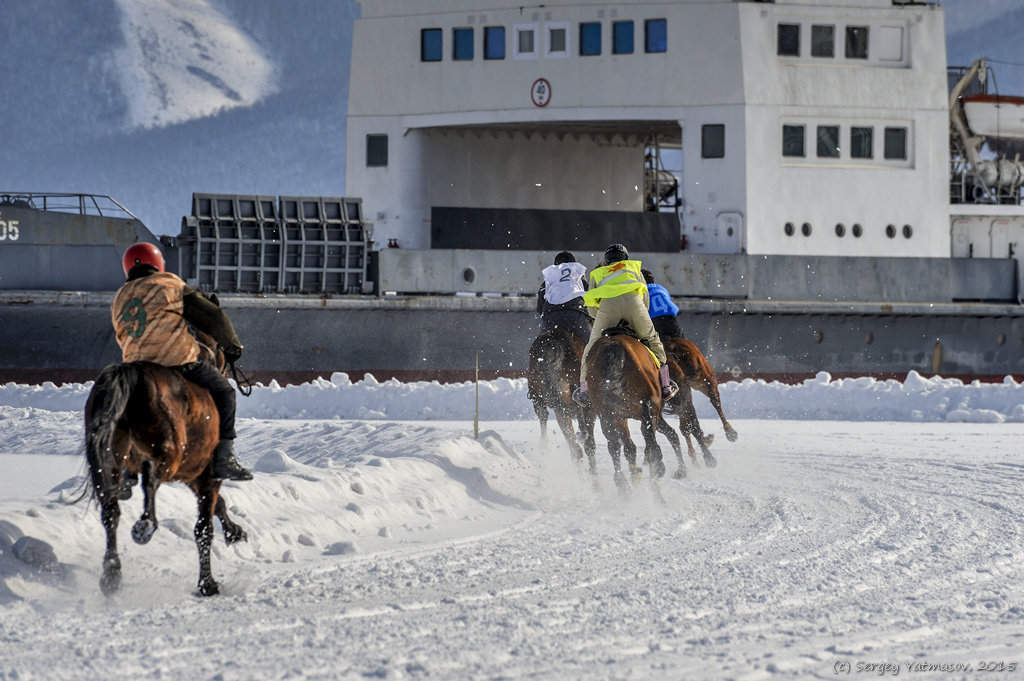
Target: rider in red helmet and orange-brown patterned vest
152	314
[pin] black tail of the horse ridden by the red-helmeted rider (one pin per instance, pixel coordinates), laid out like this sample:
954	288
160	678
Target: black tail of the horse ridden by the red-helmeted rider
106	406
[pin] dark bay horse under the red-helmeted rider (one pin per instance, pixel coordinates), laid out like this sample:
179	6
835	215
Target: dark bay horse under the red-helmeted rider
142	418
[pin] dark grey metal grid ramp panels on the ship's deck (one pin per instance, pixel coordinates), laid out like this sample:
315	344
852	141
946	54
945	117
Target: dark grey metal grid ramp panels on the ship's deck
258	244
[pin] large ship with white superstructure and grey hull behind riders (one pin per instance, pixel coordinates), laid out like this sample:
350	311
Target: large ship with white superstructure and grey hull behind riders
808	179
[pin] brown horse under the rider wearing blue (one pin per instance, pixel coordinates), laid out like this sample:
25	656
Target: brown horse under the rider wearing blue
691	370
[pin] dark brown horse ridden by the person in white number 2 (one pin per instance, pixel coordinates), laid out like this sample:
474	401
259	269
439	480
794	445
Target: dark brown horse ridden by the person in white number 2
554	369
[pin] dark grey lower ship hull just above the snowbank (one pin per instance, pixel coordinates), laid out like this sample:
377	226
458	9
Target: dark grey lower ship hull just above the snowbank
68	337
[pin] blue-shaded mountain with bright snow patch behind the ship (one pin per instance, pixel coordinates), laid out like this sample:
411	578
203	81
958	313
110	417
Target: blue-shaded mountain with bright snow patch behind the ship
149	101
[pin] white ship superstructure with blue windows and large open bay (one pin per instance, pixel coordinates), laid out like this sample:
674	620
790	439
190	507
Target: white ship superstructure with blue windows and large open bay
795	127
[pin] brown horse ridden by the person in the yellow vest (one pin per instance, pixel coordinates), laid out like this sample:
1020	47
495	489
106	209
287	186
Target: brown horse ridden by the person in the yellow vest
622	376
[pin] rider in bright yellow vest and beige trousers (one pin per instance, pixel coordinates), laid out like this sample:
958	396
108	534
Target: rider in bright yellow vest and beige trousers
620	293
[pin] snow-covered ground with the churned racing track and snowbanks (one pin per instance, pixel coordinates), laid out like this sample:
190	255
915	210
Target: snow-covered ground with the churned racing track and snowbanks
854	525
